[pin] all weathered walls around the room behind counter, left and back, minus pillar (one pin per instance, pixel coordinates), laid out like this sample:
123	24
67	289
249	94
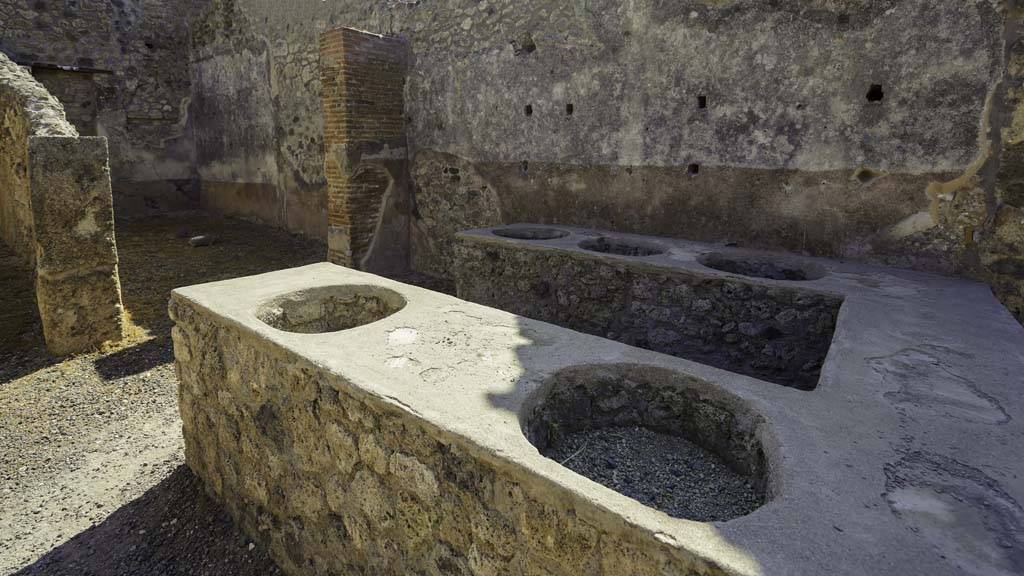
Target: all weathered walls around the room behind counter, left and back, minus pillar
684	119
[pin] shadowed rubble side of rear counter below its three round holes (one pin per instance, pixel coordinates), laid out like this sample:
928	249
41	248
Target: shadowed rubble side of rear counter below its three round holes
776	333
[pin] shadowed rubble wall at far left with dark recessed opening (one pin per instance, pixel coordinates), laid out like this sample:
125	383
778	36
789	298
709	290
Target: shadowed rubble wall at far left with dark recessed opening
122	70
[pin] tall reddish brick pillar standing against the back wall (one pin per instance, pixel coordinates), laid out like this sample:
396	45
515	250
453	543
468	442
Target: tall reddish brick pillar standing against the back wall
364	78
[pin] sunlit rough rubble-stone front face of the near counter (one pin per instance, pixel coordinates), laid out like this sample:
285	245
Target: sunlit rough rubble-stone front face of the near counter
333	480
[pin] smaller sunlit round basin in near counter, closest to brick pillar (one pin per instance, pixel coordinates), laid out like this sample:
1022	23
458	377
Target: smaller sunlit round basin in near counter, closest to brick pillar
330	309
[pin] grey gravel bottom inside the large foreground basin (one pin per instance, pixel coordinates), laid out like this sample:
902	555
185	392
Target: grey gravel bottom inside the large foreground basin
661	471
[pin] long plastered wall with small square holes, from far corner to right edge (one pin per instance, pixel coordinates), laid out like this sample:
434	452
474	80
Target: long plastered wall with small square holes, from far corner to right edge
684	119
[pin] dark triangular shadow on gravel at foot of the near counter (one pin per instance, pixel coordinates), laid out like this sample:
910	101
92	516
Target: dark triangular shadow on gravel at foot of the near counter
174	529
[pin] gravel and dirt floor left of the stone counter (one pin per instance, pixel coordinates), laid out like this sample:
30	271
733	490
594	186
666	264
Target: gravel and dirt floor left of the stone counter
93	480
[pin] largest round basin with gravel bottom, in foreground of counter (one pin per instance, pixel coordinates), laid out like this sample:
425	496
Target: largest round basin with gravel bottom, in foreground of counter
665	439
